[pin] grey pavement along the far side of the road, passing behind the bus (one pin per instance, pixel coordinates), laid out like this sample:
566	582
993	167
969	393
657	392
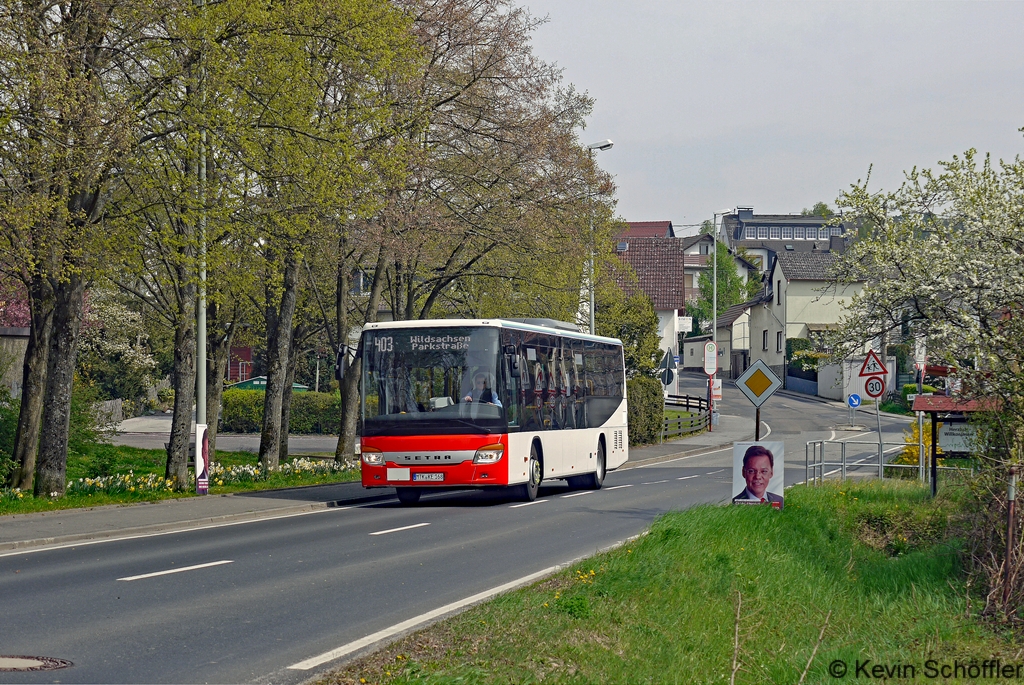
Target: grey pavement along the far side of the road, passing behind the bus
79	526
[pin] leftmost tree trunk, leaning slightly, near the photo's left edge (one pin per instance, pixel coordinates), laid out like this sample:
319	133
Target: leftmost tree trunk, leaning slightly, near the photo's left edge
33	384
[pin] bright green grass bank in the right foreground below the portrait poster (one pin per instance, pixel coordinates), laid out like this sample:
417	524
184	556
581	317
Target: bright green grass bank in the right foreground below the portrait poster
871	564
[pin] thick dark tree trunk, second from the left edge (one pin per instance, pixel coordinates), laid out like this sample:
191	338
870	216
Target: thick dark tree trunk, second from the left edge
53	466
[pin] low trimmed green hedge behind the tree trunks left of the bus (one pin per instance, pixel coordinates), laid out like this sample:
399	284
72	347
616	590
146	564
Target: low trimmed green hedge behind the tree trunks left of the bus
312	412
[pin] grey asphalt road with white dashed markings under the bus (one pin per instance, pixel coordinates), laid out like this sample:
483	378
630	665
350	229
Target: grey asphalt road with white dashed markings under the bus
268	595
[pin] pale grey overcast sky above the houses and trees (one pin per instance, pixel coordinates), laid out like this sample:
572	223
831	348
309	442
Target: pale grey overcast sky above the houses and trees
781	105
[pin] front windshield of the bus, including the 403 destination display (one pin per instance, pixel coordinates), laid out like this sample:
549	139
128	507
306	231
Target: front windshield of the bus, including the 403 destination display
432	381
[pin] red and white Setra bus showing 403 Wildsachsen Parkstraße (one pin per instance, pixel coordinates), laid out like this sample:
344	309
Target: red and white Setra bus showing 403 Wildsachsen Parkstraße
482	404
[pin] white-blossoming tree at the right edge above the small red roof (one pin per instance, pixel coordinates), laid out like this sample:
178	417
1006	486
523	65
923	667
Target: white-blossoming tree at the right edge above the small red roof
943	260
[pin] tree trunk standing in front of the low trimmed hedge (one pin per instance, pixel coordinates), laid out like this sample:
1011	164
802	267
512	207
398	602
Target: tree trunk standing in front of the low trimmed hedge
278	344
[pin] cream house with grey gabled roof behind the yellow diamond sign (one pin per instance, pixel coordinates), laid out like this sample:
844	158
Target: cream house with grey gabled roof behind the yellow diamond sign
798	303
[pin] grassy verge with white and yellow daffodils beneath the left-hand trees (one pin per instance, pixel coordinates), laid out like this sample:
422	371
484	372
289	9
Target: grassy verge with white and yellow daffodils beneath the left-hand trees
96	474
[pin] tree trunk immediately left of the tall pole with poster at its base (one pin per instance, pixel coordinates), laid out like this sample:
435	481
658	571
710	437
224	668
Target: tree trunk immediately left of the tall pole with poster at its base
185	386
